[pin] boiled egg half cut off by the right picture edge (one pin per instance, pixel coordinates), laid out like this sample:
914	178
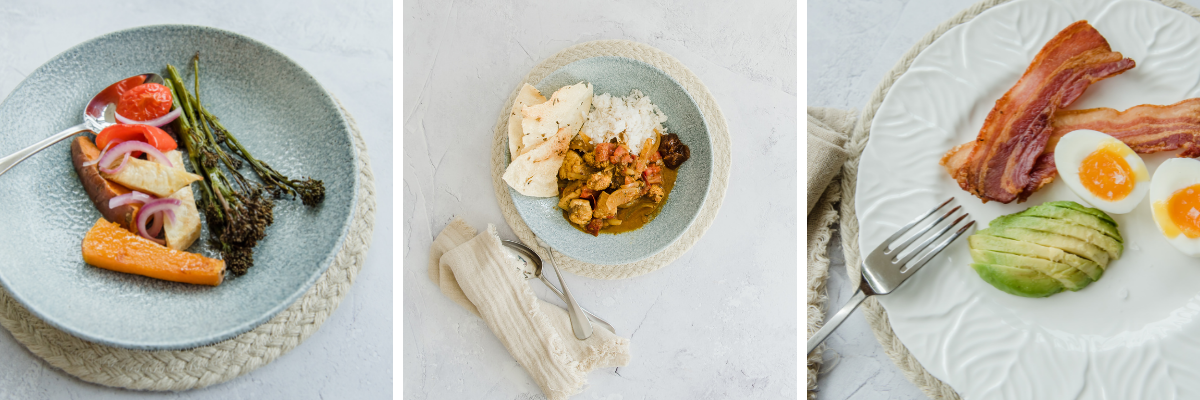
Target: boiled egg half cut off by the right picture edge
1175	204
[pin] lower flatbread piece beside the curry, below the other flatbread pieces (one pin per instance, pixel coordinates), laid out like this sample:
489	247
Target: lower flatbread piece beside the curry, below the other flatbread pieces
536	174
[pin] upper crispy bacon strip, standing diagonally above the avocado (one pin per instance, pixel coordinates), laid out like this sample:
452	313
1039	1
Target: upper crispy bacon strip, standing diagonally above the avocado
1013	139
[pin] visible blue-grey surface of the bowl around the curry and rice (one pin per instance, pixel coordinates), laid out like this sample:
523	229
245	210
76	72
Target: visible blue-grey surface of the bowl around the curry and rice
617	76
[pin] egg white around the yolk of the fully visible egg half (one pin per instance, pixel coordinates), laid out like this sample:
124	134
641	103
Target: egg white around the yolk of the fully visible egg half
1077	146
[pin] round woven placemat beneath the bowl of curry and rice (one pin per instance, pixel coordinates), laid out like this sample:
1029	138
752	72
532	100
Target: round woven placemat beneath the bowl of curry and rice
718	134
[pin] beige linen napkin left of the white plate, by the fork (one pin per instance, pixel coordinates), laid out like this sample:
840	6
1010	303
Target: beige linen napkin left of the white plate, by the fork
829	130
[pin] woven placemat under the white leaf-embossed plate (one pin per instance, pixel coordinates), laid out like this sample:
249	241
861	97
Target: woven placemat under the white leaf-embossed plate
875	315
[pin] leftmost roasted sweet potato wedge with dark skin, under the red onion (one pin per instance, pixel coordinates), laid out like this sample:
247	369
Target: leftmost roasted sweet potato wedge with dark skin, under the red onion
99	189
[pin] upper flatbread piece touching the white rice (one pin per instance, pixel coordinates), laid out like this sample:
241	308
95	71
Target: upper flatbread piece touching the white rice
567	109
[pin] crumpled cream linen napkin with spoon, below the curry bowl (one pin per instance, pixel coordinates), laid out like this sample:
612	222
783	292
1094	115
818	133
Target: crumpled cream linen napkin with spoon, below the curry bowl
475	271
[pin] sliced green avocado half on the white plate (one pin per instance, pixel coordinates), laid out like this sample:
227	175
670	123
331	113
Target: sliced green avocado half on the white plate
1046	249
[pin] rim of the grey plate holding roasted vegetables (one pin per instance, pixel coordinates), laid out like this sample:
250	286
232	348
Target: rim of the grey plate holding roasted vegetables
173	345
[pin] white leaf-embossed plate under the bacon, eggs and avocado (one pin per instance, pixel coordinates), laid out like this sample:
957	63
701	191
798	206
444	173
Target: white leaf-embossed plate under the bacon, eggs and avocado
1133	335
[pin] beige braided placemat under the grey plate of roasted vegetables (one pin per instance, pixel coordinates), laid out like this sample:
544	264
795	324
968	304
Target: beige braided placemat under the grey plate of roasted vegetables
197	368
